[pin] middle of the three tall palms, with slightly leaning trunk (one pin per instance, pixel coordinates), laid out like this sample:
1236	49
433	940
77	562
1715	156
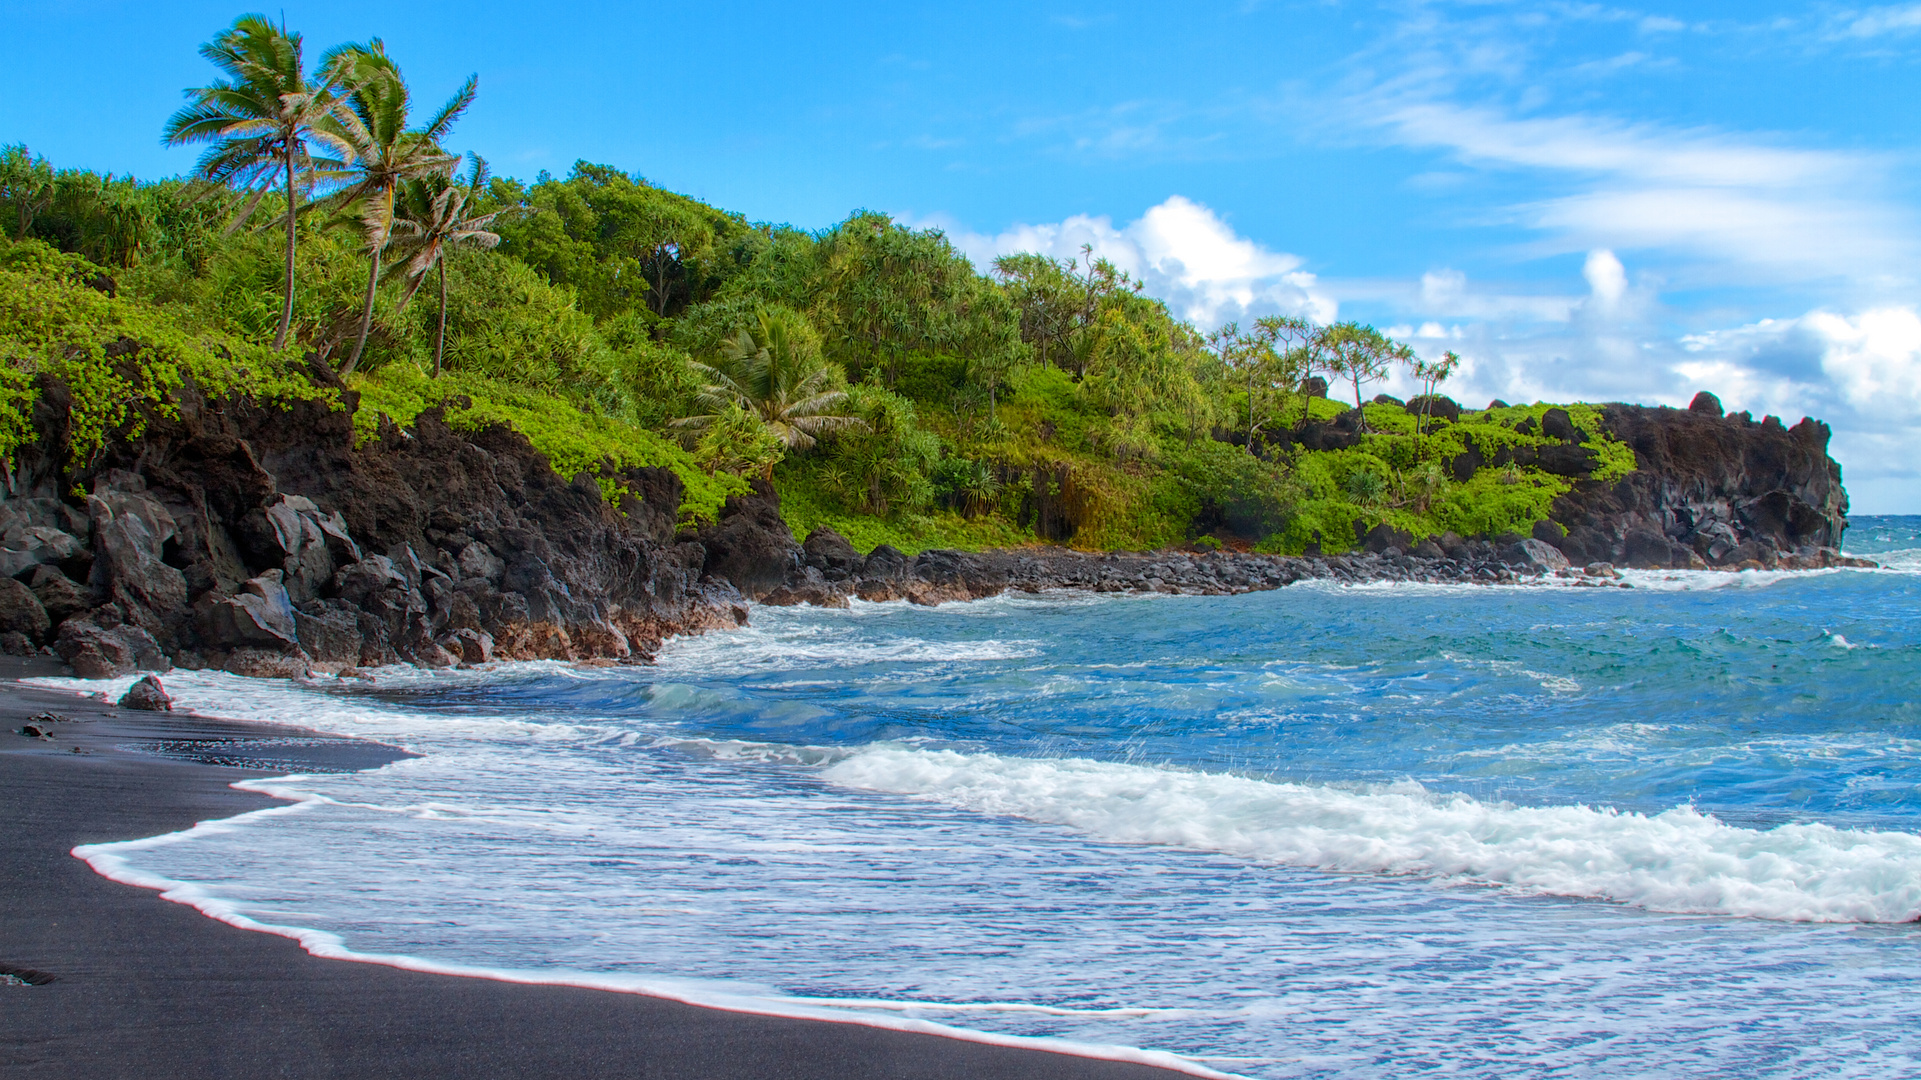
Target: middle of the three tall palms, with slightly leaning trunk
383	153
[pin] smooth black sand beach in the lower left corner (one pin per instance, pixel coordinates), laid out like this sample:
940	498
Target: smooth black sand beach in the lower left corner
157	991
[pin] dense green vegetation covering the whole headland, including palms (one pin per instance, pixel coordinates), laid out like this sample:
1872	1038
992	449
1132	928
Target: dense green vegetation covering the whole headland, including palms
883	383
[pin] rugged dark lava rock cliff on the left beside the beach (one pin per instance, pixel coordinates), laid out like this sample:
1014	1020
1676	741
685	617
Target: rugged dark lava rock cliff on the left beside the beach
268	543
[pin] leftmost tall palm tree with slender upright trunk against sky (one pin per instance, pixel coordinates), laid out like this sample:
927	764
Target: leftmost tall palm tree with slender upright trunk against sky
258	122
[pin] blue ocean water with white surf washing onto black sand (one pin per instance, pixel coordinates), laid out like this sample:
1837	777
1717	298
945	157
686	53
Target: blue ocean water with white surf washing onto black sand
1325	831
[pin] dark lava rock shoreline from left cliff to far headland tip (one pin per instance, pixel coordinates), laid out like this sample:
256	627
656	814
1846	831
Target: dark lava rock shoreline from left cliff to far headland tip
270	543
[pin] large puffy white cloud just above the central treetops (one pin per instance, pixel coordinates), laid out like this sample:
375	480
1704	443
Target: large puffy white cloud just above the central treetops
1182	253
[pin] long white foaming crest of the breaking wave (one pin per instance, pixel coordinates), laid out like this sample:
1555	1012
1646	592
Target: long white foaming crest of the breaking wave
1680	862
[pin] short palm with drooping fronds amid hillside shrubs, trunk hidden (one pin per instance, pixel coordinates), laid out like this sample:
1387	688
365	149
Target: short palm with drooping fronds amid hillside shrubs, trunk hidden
775	372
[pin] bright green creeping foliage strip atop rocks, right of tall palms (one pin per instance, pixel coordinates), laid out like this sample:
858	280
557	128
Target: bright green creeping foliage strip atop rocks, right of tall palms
571	439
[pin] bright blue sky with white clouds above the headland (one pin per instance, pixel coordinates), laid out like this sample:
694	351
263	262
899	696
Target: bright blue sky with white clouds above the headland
1584	201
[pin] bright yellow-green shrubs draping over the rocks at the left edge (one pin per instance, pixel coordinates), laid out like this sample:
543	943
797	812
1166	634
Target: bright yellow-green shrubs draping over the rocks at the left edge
120	360
